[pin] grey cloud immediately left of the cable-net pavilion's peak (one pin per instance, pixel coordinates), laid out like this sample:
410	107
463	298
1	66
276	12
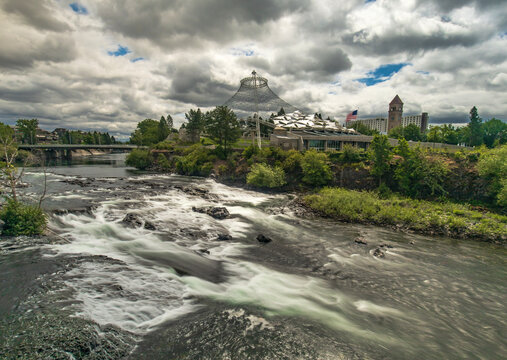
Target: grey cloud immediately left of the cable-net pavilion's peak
192	83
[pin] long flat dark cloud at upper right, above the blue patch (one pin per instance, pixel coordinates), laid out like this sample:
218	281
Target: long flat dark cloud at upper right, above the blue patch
389	43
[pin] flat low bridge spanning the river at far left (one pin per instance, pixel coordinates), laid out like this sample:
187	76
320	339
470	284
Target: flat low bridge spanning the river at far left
64	151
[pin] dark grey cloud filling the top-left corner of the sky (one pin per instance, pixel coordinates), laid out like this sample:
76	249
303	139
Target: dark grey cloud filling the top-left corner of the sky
38	14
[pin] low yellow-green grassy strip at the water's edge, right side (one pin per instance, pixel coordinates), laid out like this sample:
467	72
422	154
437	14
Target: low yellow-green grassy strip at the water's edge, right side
454	220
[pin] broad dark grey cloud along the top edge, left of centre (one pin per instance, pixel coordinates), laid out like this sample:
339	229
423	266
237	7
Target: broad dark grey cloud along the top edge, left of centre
184	23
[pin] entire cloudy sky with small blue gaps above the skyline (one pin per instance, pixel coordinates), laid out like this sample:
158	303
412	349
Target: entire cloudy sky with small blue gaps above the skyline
105	65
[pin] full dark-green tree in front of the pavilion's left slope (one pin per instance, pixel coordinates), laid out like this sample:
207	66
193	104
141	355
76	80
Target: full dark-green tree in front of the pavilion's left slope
222	126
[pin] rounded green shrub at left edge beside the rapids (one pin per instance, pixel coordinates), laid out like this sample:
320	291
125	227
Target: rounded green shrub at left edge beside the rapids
22	219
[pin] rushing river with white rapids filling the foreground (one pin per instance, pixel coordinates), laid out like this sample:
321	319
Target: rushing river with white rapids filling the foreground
99	288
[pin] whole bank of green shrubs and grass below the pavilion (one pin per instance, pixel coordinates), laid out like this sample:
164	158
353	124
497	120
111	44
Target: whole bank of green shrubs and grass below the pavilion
459	194
